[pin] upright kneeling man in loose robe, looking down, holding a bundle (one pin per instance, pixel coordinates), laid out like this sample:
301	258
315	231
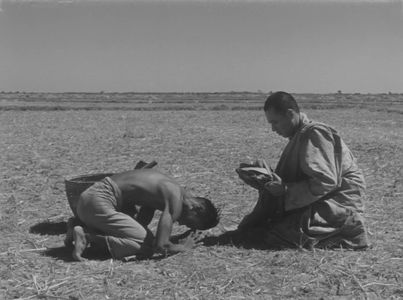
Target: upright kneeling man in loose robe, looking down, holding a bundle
315	196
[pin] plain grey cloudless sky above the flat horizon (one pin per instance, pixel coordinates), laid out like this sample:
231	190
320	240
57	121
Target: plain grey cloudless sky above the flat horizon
201	46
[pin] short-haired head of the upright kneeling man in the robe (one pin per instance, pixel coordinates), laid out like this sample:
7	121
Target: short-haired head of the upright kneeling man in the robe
282	113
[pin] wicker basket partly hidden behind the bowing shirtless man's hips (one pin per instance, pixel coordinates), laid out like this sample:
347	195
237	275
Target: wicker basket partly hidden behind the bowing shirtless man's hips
76	185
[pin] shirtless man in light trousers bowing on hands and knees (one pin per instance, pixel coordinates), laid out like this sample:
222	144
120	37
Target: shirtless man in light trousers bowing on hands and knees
105	208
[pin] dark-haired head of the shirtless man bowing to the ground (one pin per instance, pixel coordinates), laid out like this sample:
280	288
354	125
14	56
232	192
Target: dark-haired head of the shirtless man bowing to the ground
199	213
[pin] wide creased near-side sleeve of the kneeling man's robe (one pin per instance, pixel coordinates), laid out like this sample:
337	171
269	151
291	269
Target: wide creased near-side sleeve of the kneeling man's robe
318	163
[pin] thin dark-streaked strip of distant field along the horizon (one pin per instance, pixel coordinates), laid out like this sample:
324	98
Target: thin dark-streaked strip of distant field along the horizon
188	101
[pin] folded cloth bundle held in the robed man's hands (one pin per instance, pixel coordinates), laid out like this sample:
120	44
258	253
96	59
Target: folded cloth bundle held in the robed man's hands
255	175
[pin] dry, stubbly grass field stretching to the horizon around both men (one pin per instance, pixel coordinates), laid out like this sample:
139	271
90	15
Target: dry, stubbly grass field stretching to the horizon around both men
199	140
